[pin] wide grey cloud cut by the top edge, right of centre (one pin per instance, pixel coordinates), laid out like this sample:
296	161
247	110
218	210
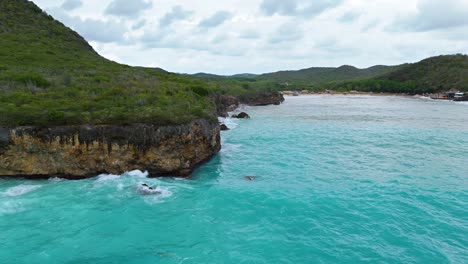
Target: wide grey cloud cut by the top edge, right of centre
297	7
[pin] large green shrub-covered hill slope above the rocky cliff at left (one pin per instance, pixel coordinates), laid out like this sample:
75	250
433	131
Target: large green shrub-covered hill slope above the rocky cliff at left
49	75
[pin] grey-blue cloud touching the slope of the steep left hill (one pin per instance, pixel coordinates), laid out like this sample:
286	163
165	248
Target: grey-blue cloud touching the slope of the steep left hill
92	29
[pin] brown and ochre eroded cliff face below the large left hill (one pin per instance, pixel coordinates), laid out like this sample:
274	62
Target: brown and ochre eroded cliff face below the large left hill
77	152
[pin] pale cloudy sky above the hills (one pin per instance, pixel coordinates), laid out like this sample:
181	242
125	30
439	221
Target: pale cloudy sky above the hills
256	36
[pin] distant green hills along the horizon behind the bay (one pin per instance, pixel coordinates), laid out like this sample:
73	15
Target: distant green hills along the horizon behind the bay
436	74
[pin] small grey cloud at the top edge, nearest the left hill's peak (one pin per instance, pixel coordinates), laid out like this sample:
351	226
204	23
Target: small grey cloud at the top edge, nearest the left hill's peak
127	8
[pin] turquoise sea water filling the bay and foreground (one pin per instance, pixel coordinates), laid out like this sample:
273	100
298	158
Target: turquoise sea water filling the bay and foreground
339	180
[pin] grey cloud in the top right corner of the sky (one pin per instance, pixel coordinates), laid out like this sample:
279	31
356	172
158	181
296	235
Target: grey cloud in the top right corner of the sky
434	15
